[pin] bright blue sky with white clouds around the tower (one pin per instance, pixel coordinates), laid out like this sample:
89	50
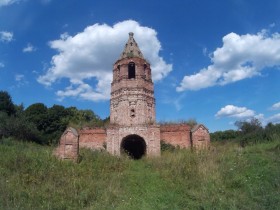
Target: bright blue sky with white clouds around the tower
214	61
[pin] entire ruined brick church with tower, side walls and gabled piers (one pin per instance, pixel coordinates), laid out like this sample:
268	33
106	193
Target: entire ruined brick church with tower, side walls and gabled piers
133	128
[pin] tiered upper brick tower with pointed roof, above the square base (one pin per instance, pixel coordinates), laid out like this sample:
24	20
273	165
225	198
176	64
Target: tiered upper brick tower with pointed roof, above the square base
132	89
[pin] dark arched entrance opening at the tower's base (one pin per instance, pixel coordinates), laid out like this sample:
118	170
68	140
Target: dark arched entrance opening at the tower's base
134	146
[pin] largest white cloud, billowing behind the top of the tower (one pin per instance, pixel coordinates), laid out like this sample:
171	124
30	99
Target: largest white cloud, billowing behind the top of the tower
90	55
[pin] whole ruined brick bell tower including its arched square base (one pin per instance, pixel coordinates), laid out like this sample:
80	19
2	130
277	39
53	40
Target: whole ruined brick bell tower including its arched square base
133	129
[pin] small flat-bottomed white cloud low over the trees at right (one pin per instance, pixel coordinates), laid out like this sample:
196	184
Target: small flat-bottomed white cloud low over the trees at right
235	112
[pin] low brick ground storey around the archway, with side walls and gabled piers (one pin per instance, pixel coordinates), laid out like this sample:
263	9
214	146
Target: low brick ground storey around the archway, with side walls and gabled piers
97	138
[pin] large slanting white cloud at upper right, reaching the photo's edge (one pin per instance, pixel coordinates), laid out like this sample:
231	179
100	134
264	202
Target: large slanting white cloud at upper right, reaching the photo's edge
240	57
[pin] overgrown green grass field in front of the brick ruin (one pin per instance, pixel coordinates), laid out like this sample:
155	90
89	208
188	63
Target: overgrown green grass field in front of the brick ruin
225	177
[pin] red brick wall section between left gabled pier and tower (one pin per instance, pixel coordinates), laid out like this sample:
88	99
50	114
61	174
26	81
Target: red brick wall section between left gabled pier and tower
93	138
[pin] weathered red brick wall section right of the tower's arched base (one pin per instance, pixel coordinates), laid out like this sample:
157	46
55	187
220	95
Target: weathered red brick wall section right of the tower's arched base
176	134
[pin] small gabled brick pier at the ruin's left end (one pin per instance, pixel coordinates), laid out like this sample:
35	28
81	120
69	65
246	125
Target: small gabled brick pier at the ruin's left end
68	145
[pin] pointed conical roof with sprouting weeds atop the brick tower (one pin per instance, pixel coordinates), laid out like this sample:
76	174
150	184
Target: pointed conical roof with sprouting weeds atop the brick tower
131	49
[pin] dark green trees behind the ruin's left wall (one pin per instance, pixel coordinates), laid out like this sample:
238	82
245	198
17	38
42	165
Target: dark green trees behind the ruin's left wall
39	123
